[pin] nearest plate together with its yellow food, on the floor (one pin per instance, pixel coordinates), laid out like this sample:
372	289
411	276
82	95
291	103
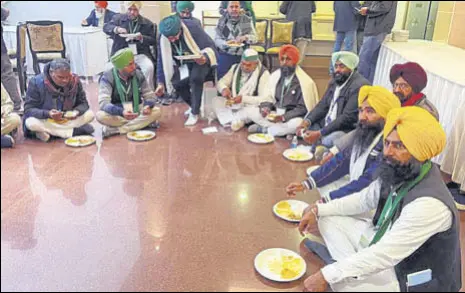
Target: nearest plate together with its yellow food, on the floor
280	265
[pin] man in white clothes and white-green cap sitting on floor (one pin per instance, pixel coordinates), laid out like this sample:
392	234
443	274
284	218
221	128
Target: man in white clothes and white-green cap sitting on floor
245	85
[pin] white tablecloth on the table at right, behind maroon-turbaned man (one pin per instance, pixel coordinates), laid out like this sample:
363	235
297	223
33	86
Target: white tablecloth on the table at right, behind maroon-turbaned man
446	79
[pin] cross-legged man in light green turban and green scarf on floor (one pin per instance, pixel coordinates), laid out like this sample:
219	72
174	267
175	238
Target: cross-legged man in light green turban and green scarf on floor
125	98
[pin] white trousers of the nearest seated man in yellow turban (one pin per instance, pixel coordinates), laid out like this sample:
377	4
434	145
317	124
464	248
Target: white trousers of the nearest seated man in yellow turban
342	236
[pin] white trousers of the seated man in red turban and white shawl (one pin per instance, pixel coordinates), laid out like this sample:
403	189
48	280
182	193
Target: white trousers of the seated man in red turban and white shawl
274	129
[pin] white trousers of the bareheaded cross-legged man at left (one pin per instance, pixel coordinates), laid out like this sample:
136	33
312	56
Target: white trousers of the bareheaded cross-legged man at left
63	130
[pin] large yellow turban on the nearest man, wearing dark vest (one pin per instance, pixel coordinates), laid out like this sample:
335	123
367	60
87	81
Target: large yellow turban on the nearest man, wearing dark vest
418	130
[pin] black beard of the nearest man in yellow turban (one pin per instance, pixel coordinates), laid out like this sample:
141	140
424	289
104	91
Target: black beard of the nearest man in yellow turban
392	172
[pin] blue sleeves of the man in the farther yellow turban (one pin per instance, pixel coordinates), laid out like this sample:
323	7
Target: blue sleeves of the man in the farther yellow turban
339	166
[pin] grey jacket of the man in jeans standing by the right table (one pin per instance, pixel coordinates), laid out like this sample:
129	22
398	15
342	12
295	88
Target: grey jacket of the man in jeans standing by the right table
381	17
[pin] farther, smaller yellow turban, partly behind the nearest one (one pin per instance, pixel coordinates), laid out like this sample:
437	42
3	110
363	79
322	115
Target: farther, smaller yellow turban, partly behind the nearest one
381	99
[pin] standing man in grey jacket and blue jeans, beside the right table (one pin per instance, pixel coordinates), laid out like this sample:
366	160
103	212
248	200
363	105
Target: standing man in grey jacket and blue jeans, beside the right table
381	16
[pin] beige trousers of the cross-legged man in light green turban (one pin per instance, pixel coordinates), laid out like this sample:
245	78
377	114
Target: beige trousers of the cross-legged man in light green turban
124	126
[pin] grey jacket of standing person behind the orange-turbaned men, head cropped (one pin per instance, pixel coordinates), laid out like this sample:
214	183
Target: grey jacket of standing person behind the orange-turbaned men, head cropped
301	13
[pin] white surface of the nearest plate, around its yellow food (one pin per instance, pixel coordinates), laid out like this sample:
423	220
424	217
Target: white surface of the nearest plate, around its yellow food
272	257
